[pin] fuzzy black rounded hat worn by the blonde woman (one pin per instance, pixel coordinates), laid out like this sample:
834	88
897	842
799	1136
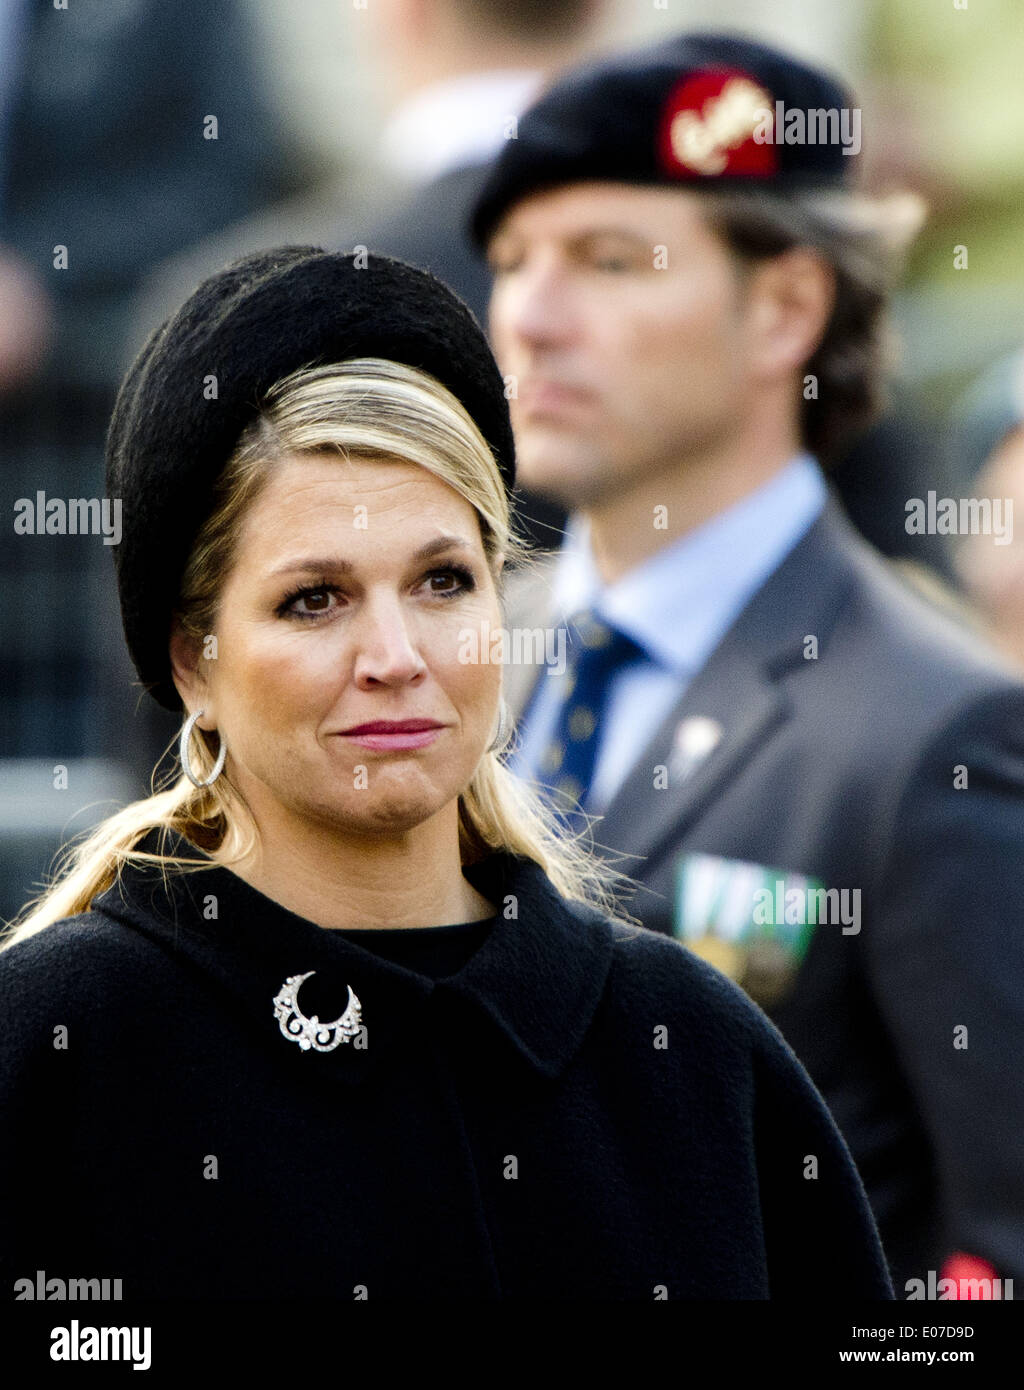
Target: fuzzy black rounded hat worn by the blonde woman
249	326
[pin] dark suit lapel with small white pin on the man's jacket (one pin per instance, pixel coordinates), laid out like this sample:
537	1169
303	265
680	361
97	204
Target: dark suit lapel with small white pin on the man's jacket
738	694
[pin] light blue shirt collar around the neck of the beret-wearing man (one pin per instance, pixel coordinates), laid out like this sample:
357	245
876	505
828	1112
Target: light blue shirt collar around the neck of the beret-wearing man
683	600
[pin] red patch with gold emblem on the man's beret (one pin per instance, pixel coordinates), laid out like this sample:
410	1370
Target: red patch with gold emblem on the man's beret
709	126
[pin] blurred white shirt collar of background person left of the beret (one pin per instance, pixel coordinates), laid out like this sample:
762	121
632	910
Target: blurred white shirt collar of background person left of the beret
456	123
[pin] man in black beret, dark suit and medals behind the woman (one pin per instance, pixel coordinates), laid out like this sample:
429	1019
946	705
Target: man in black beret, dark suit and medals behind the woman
820	778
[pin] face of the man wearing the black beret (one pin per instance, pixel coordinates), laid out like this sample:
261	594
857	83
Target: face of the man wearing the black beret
622	319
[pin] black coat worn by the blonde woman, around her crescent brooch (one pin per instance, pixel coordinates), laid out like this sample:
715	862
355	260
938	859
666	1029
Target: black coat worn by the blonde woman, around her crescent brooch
512	1132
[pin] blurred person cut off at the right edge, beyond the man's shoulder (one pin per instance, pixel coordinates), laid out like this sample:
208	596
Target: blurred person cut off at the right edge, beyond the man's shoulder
990	433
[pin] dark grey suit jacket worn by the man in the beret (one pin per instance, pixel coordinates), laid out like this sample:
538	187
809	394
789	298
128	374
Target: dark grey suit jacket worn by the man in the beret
843	768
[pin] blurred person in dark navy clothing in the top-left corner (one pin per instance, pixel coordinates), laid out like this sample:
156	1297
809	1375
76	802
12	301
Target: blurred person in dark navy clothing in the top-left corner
120	173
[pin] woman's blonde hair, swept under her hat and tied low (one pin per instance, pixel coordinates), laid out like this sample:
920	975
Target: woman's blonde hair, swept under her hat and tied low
373	409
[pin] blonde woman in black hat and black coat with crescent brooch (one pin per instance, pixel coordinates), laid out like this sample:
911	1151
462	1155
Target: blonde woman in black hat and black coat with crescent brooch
341	1013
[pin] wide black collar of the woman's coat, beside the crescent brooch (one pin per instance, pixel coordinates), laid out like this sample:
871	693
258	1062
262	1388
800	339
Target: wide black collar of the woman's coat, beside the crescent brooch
534	983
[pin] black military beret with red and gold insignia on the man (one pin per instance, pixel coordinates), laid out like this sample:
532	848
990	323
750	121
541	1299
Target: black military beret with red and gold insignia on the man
682	112
